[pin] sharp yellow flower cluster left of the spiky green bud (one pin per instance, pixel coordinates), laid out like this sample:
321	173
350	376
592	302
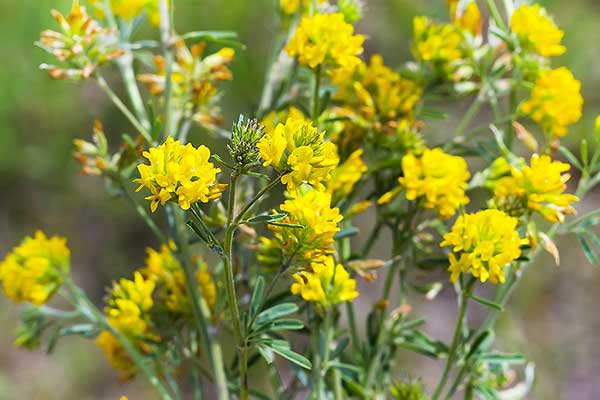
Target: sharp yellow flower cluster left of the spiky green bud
179	171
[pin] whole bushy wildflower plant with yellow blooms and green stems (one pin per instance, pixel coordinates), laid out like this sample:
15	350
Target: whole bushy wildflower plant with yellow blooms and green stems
259	261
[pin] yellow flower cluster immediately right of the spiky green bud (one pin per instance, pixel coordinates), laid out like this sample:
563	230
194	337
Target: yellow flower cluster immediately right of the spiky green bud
298	150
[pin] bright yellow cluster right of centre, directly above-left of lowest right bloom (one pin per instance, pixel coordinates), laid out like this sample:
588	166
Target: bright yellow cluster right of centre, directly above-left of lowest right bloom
440	179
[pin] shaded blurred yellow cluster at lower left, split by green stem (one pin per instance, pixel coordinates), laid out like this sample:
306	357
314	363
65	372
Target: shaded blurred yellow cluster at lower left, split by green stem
165	270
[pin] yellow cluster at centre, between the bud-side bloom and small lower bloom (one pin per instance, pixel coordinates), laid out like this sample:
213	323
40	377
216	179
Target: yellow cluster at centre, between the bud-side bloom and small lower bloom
306	233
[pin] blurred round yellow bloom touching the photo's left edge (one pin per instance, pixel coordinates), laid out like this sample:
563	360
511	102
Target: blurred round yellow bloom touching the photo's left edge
34	270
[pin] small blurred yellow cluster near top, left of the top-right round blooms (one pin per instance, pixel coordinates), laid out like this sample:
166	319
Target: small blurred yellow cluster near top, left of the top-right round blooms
434	42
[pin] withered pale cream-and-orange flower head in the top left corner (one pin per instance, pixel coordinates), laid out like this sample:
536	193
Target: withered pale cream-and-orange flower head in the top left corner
82	44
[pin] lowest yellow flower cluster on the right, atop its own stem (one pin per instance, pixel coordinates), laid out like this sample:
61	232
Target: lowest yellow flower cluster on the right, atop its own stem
483	244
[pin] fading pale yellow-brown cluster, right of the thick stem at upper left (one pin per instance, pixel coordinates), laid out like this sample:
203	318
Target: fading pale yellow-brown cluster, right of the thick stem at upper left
195	80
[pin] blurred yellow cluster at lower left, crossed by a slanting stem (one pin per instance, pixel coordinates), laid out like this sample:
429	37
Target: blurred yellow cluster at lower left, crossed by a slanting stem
129	303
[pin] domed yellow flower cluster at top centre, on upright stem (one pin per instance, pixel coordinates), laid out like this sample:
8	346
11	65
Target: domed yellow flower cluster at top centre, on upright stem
325	38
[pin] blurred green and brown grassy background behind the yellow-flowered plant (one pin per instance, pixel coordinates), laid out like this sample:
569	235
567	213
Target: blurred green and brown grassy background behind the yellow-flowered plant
552	317
